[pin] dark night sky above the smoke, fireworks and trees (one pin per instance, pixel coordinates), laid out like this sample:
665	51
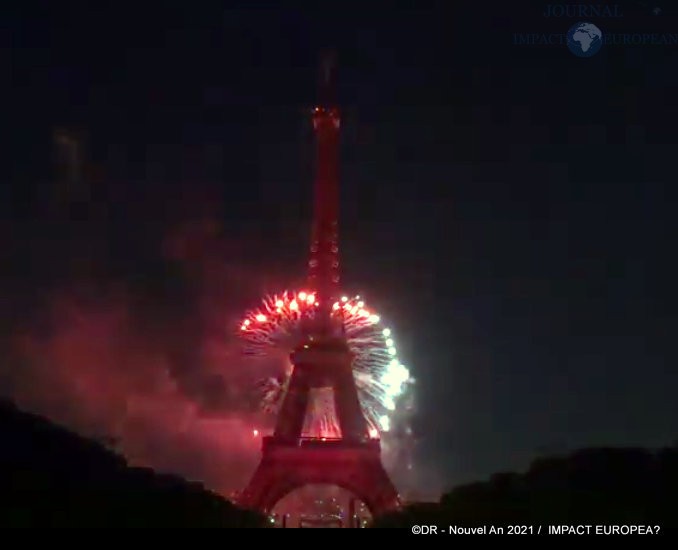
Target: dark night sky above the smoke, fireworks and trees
510	209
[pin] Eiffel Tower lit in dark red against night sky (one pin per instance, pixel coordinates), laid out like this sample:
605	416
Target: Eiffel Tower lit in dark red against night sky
322	360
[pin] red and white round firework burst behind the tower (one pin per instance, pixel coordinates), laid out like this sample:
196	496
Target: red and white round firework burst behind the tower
380	377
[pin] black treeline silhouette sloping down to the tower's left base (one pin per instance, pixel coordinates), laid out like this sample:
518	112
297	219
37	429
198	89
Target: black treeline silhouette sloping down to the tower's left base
50	477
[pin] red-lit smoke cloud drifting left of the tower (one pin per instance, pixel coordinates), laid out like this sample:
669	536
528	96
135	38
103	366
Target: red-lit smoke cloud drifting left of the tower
167	392
